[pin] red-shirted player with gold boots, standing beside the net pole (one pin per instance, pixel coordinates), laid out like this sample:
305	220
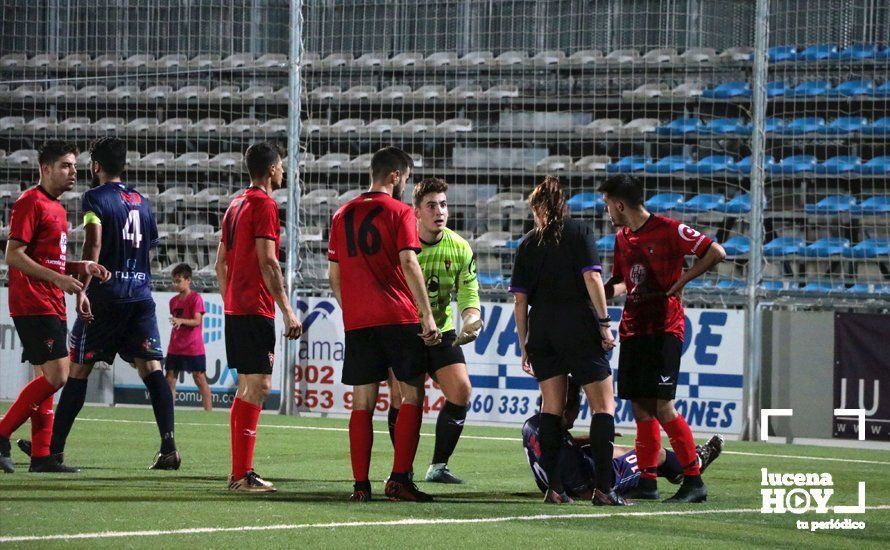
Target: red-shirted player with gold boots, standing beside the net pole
251	283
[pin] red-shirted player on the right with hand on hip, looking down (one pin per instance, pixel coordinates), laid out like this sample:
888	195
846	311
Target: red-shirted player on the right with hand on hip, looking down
649	256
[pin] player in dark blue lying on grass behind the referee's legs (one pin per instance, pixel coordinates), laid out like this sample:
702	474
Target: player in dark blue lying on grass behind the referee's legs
577	467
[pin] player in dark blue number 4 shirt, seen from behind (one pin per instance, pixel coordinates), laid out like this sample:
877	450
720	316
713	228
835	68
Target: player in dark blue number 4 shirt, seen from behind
118	316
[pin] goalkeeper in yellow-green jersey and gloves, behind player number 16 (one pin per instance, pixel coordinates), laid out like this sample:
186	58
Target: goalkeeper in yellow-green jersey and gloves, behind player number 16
448	264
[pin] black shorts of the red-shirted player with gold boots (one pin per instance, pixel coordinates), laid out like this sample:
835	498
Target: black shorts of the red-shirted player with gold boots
250	343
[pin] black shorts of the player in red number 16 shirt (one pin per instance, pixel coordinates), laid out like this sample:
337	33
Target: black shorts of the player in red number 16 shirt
372	351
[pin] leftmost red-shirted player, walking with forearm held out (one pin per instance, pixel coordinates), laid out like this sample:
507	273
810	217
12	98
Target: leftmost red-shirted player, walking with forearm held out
39	275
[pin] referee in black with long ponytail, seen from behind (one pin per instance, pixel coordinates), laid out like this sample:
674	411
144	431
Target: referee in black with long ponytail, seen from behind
556	273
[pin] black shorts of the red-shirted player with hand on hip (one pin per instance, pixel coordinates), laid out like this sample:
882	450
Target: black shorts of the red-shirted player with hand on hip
648	367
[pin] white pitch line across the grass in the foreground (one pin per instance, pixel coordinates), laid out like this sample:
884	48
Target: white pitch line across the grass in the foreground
390	523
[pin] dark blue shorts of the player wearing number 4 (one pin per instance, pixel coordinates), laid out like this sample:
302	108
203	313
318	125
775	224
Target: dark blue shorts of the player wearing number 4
128	329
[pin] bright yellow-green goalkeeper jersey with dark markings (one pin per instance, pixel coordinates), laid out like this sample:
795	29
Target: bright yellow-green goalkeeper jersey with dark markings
447	265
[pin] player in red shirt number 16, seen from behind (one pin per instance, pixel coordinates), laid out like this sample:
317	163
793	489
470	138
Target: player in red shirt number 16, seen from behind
376	278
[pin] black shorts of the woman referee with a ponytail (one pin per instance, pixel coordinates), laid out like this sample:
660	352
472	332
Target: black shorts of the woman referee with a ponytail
565	340
